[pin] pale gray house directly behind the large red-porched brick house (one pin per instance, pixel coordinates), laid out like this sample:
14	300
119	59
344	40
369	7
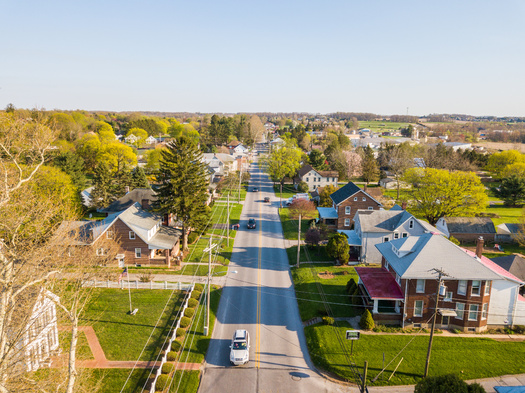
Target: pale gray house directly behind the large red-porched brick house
379	226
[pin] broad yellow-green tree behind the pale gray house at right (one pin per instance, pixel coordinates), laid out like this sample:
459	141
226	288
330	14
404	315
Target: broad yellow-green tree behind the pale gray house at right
438	193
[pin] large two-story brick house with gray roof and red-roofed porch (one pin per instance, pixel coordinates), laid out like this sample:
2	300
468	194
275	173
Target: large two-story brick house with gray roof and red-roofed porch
478	293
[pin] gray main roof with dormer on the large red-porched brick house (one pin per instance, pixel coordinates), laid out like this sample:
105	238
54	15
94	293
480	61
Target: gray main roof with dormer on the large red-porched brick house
415	257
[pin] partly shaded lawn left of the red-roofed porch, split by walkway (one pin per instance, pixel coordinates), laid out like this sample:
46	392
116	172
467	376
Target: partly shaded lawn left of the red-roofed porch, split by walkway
308	297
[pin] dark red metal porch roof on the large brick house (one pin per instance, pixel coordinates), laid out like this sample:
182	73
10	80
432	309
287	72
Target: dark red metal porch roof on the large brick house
379	283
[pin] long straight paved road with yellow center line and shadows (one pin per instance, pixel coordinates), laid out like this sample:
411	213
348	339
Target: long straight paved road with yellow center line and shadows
261	299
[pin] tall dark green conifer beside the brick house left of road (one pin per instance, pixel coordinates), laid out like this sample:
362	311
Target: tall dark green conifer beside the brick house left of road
183	185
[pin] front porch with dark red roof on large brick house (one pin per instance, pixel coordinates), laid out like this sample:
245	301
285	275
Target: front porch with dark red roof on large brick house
381	294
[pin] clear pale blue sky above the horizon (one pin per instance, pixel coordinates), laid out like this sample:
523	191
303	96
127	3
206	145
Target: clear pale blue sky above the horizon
279	56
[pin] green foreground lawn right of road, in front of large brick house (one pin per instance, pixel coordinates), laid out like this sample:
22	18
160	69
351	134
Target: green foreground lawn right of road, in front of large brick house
471	358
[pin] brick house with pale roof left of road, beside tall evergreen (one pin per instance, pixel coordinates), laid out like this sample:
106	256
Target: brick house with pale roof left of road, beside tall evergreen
142	236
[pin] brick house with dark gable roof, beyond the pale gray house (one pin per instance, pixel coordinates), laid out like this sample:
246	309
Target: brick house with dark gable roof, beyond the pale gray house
345	203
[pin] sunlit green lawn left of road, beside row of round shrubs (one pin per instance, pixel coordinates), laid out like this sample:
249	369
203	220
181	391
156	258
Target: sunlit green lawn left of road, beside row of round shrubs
123	336
